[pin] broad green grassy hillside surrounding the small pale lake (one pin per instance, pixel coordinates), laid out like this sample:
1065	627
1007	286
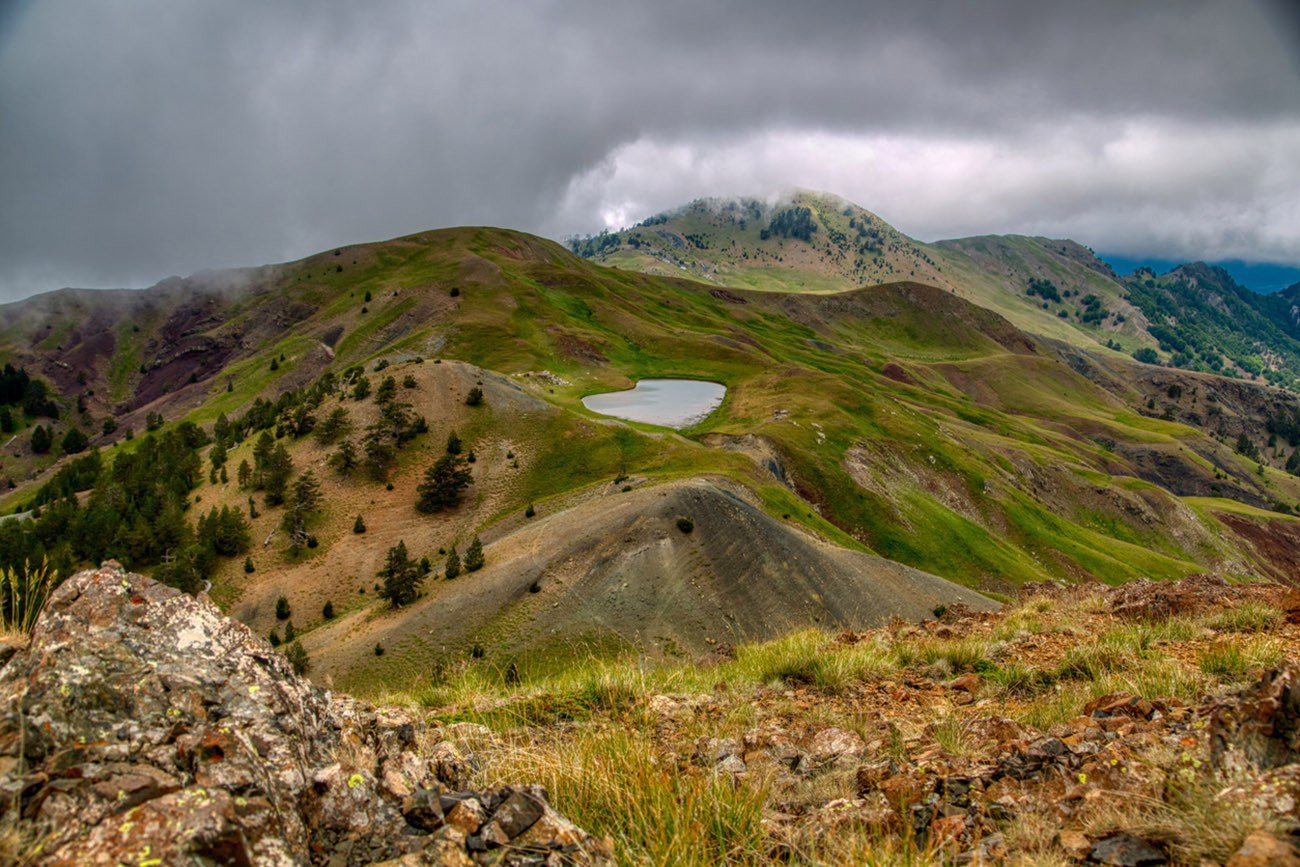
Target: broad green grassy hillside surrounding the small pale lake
898	421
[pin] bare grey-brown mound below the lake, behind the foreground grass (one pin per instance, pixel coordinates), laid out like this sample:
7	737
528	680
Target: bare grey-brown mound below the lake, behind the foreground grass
617	571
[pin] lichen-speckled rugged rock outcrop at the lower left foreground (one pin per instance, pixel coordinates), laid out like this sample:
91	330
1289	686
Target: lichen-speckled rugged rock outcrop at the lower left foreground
142	727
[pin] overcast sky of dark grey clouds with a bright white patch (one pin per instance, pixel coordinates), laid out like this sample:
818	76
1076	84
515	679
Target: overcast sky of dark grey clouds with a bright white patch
144	138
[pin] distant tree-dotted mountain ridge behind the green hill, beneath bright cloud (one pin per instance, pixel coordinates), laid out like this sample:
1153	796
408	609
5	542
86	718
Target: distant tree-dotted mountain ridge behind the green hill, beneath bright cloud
751	244
